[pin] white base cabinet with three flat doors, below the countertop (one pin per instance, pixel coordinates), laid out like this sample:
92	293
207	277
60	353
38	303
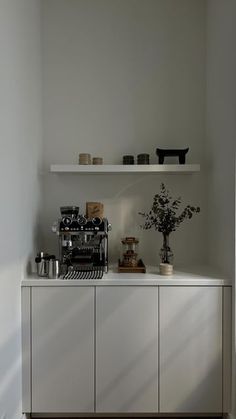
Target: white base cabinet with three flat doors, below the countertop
126	349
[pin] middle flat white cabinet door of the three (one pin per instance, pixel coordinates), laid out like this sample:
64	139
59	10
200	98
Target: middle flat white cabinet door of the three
126	352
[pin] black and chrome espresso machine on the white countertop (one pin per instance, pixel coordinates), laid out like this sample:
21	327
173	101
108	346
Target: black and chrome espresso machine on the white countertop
83	244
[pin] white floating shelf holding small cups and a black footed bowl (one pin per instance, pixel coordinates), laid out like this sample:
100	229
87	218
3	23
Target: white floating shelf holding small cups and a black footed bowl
125	169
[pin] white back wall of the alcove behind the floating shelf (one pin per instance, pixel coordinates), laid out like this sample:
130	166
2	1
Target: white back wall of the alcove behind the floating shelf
124	77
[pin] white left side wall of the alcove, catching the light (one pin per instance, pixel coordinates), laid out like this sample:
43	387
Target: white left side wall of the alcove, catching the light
20	139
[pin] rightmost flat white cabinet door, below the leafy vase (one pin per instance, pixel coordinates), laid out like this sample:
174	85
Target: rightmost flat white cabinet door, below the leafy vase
191	349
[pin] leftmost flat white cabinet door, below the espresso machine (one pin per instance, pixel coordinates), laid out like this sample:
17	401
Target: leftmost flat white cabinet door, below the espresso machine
63	349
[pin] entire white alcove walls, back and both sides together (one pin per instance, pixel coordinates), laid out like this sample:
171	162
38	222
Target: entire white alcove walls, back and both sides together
119	77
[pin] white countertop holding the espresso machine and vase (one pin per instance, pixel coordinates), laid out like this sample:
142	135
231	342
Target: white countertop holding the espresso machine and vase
203	276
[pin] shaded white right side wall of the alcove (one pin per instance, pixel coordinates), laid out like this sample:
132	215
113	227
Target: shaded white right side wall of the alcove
221	140
